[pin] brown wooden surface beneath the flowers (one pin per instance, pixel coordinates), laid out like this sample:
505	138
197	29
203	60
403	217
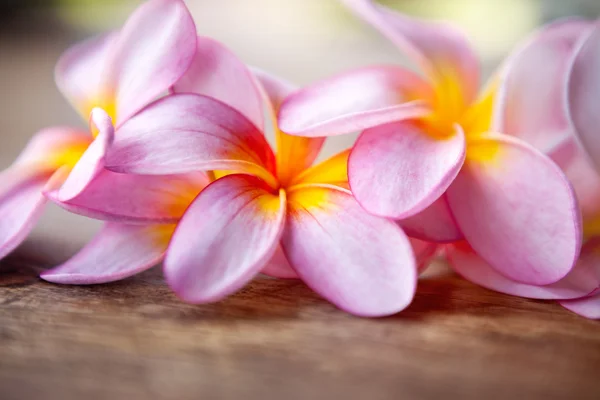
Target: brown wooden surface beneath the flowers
277	340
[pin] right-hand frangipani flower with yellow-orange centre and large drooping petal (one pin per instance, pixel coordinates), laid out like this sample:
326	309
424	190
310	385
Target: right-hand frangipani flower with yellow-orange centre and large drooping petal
430	145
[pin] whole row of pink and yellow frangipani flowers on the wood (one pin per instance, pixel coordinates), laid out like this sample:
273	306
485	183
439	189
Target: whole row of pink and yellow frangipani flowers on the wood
502	181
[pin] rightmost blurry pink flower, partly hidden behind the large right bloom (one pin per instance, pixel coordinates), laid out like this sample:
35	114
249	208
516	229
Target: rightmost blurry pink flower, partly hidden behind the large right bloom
535	111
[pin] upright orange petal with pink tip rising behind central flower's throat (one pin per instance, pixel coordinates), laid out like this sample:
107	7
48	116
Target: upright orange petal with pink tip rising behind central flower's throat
294	153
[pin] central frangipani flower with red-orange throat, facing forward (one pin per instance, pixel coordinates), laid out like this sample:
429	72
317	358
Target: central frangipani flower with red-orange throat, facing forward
261	202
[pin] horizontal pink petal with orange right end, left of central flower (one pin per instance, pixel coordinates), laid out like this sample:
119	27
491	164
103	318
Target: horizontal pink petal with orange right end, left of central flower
135	198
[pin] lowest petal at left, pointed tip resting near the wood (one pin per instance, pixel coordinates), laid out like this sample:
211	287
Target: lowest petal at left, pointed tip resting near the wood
118	251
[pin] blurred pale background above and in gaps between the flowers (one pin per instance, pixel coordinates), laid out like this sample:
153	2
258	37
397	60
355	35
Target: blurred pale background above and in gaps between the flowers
302	40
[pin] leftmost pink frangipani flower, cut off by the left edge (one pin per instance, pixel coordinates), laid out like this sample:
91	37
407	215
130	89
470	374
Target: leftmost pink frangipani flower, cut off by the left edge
118	73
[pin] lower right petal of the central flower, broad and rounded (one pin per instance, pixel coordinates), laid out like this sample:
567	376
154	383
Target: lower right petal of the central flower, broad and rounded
361	263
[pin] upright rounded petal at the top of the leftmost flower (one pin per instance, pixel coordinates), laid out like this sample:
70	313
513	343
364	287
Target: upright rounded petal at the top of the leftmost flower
153	50
